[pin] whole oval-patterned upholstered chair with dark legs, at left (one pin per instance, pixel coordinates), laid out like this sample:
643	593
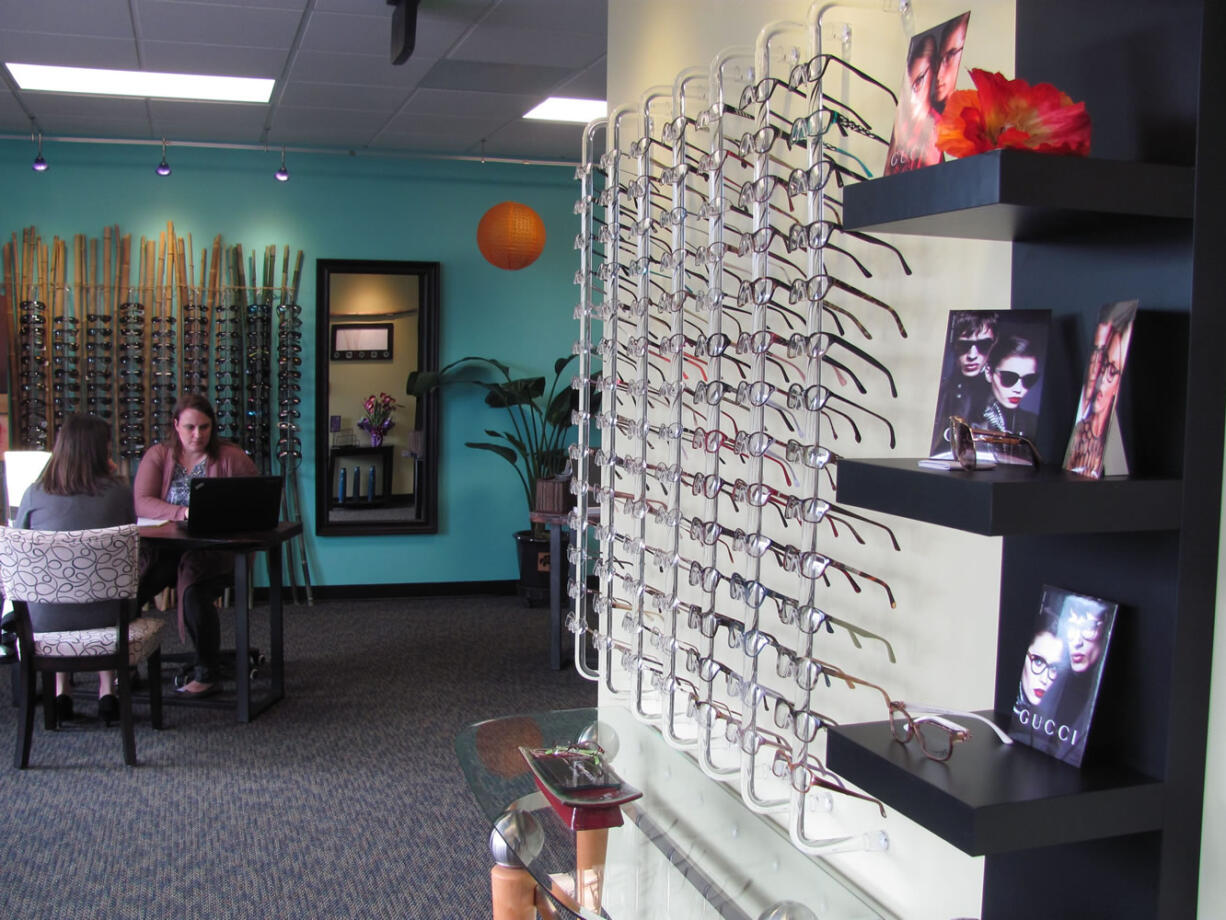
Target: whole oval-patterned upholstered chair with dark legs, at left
75	567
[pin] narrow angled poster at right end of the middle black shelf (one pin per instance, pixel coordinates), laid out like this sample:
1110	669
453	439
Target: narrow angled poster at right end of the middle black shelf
1102	387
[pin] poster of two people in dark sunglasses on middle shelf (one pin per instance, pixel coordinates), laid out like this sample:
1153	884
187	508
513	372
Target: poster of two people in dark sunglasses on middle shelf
992	376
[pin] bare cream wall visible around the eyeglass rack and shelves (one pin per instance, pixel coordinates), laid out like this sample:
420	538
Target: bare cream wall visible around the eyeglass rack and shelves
947	583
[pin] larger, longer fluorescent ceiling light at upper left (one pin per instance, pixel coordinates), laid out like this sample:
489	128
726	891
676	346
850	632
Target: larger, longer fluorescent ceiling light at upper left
140	84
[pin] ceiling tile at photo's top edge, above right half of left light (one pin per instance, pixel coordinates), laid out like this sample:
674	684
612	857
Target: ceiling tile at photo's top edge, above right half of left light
162	21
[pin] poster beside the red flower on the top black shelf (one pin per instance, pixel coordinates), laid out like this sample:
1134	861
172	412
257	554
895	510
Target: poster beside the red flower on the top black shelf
934	59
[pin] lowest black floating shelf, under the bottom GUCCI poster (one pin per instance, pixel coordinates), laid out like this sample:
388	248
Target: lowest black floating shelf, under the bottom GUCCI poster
990	798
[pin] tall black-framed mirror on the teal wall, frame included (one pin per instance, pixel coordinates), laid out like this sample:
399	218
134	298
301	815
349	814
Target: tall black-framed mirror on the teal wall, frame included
377	322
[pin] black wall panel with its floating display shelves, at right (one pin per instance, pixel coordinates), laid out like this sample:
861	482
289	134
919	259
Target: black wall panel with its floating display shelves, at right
1121	836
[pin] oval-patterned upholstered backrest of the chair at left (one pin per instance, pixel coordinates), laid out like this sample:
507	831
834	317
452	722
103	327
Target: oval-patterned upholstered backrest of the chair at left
70	566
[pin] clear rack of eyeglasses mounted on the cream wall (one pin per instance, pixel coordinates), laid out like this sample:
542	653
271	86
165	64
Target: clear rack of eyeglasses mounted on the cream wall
720	322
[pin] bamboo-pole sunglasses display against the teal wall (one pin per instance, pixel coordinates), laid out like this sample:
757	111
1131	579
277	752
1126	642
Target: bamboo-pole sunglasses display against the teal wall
124	348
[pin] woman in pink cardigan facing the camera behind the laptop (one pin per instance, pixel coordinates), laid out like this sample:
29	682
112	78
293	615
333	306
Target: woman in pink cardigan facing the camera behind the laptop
192	450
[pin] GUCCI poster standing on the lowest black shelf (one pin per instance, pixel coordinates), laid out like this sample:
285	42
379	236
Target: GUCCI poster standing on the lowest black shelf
1061	674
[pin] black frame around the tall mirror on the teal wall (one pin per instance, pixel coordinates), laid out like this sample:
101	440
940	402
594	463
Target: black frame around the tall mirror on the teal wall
428	360
